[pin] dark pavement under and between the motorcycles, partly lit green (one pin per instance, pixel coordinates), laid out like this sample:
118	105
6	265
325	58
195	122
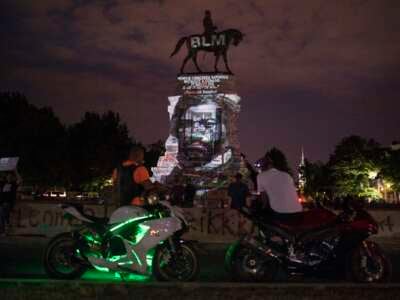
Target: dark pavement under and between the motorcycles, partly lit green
22	258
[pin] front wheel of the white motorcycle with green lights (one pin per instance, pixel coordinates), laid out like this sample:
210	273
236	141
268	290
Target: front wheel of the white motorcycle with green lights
181	266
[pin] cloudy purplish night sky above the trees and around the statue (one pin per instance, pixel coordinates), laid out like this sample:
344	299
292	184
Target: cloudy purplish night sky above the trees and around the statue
308	72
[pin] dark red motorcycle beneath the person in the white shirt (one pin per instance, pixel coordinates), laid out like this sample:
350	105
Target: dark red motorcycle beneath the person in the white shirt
315	243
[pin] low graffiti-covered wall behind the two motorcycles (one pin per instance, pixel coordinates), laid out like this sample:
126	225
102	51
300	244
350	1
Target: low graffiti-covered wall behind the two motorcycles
224	224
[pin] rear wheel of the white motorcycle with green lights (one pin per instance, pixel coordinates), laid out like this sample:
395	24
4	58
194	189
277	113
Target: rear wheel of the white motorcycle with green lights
60	259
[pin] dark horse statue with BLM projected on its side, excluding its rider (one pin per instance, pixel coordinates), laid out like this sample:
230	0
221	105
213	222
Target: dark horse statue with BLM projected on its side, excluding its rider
218	43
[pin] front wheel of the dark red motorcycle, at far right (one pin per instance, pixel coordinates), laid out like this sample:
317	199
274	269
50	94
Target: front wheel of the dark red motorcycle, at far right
368	263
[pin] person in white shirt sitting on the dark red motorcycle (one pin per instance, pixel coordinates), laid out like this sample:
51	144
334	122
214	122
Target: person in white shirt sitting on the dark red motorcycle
279	189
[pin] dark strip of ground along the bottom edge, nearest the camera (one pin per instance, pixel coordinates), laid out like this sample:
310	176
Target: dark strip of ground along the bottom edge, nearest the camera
65	290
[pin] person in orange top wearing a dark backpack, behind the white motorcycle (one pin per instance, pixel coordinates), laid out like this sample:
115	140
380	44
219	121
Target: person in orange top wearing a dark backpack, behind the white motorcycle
131	178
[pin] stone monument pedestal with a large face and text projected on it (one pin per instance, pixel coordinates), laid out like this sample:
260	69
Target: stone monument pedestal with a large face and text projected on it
203	143
